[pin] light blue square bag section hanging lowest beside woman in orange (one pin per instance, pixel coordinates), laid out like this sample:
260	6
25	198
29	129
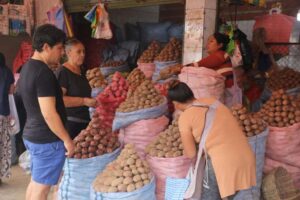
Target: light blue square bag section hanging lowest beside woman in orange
175	188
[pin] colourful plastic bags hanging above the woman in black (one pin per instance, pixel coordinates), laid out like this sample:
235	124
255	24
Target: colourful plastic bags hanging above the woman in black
99	19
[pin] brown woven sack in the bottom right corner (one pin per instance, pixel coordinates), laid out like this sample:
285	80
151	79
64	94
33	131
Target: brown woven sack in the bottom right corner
278	184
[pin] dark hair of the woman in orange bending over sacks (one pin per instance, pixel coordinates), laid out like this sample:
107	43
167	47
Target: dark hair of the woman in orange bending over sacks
180	92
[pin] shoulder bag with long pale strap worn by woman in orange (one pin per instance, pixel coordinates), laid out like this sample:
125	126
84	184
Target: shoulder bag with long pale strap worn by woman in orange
191	186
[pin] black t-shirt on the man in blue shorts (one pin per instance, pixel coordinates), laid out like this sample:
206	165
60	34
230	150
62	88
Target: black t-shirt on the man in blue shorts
37	80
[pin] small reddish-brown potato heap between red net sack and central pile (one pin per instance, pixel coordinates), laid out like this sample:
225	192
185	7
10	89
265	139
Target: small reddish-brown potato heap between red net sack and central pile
135	79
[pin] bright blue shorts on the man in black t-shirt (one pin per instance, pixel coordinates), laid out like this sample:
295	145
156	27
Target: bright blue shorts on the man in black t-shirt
47	161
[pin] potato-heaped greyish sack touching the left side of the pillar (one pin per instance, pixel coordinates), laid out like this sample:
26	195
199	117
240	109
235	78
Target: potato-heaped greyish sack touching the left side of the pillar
170	55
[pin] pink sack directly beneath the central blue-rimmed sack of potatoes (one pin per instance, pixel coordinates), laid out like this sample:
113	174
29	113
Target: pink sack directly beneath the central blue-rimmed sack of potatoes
141	133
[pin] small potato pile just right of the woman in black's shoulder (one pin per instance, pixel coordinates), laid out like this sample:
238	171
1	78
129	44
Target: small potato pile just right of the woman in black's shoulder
95	78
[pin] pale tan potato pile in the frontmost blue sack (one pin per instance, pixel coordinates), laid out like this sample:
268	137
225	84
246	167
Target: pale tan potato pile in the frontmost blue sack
126	174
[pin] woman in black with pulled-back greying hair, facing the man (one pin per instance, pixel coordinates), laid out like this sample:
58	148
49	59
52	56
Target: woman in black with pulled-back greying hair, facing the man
76	88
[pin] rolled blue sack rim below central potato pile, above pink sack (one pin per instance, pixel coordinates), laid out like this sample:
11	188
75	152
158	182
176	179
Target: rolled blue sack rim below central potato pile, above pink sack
122	120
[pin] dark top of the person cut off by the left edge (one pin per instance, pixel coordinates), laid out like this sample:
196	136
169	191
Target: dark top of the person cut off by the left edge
6	79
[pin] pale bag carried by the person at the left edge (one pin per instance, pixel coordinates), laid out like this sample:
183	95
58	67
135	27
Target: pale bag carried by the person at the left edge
14	117
